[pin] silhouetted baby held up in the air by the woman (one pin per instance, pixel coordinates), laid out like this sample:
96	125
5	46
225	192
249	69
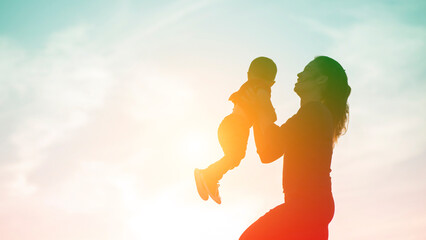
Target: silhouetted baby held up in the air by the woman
234	129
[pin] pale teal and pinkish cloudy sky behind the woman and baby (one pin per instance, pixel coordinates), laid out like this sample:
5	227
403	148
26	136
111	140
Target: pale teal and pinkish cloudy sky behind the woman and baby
108	106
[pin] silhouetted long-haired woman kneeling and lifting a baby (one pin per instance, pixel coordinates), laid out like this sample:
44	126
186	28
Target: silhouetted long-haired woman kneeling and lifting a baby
306	140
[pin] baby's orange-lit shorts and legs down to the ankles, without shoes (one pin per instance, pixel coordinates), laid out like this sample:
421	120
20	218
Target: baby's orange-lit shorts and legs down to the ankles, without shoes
233	135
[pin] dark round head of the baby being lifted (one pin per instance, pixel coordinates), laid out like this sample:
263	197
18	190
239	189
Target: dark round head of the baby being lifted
262	68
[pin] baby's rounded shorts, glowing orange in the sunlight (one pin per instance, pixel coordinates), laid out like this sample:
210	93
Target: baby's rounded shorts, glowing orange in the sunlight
233	135
